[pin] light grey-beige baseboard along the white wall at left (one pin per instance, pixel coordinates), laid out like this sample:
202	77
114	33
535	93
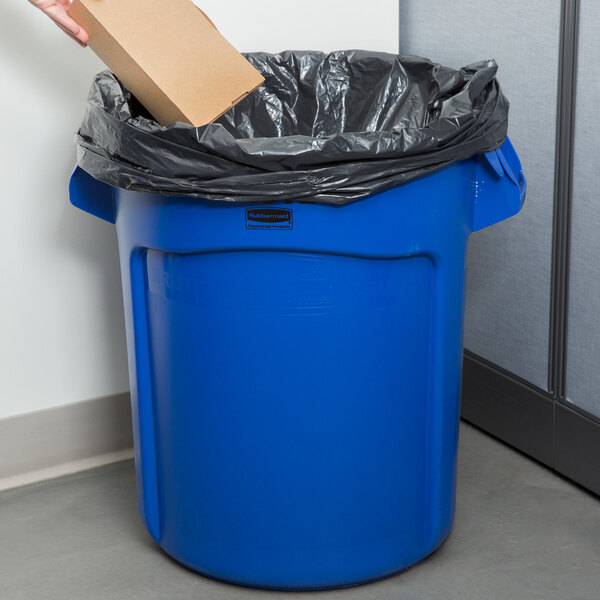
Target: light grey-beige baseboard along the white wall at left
57	441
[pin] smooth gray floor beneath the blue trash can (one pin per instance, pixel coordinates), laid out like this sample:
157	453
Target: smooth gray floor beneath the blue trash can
521	533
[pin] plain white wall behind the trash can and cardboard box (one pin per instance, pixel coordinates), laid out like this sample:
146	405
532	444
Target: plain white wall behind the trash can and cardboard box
61	321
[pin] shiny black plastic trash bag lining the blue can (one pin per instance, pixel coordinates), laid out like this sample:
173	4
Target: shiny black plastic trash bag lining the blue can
324	128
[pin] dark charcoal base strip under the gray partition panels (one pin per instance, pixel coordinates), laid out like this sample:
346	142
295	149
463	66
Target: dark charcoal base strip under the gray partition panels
532	421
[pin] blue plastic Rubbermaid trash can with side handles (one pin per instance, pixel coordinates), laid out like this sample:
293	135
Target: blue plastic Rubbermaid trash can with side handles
296	371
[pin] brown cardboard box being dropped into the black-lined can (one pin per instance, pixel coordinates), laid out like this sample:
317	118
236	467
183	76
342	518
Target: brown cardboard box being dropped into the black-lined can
170	55
